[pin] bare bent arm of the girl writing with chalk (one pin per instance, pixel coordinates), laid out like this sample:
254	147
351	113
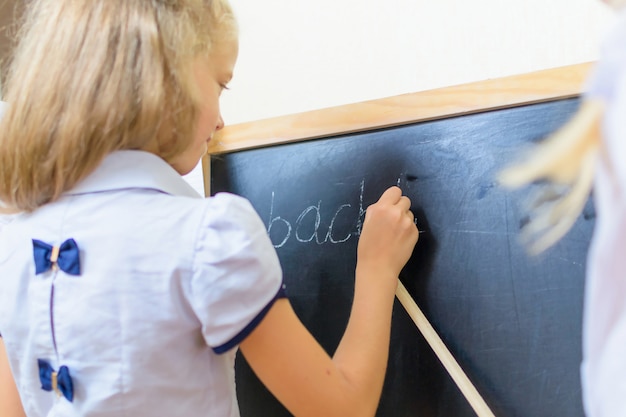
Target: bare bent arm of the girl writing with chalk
292	364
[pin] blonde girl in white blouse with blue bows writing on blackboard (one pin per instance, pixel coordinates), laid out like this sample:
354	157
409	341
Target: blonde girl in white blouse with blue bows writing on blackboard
121	291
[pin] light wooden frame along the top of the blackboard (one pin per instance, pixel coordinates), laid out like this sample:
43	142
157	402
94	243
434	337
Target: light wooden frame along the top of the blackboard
534	87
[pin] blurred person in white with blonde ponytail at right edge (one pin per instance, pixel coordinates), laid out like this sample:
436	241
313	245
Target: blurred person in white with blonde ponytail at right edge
592	146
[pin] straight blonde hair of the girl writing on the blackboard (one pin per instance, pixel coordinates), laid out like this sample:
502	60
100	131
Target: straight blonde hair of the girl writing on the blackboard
90	77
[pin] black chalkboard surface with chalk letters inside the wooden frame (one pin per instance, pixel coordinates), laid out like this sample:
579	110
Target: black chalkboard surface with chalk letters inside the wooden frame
512	321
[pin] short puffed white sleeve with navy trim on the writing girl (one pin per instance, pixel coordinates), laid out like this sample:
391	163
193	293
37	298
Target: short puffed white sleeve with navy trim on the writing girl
237	275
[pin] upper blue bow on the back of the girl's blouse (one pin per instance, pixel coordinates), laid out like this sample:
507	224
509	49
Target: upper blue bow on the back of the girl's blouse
65	257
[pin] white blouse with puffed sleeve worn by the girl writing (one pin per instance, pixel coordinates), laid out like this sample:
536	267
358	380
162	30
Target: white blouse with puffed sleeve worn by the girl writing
166	276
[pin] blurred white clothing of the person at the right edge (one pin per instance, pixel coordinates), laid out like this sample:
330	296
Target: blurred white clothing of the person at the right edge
604	334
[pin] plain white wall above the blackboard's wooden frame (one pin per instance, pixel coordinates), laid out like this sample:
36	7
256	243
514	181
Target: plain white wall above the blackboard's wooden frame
299	55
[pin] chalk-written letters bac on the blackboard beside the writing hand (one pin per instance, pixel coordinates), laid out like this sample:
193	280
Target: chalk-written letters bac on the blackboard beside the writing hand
308	227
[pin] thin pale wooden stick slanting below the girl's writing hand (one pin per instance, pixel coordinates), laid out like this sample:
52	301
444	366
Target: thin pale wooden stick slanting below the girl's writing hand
462	381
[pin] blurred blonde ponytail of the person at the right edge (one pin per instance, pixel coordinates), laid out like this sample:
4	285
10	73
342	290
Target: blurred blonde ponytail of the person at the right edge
566	160
